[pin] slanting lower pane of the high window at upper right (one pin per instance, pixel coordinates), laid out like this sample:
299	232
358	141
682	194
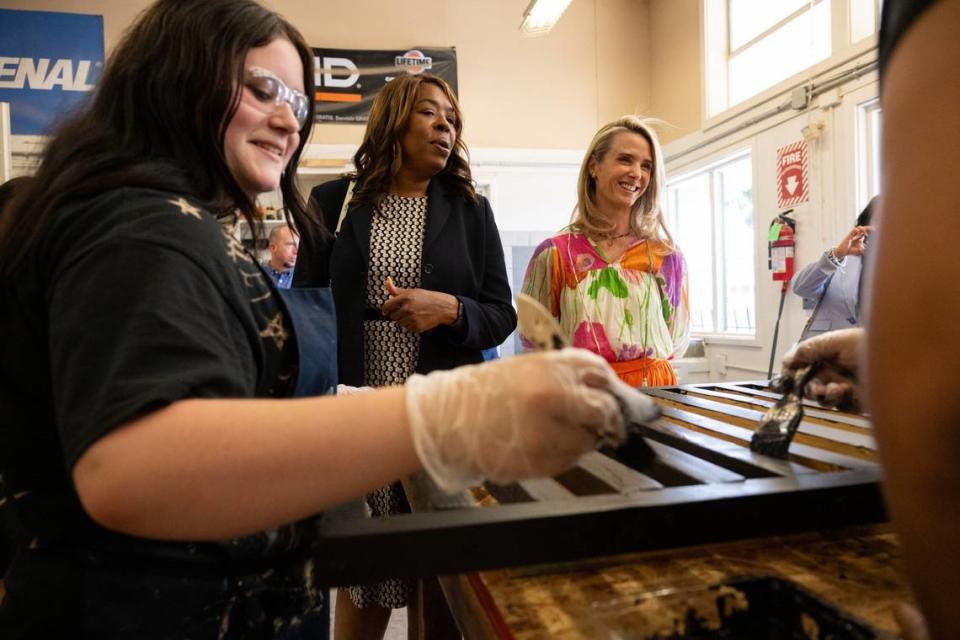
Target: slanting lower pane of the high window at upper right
797	45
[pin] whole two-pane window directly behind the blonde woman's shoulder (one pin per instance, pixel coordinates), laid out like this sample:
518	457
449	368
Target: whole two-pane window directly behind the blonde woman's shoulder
711	218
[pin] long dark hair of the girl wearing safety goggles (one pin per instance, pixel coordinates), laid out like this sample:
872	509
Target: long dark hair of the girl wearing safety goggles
158	118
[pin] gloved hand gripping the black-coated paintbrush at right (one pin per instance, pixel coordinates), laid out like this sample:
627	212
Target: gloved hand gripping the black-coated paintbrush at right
835	384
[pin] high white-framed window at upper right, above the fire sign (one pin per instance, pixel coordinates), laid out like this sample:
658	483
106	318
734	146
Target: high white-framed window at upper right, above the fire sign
753	45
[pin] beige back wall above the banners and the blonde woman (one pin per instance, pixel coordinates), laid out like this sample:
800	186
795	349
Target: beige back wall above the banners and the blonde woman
547	92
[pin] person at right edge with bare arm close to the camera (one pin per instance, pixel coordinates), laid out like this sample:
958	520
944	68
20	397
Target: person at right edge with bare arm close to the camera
911	332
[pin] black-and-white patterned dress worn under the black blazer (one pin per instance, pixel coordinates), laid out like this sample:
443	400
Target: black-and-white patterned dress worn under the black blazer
390	351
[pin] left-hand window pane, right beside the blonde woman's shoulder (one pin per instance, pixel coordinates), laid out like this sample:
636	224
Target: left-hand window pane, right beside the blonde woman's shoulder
690	200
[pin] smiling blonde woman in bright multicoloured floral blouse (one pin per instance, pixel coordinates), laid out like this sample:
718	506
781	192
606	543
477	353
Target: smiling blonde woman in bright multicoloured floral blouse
614	278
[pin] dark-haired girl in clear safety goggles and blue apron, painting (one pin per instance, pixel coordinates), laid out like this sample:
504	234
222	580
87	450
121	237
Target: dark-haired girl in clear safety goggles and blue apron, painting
150	441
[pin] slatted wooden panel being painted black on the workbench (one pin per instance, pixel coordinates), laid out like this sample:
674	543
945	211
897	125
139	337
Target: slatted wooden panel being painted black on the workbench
705	486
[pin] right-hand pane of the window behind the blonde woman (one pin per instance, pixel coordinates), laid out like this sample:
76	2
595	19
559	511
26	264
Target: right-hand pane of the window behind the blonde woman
735	272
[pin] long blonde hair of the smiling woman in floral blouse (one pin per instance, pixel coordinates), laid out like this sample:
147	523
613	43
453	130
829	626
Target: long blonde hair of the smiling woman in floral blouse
648	214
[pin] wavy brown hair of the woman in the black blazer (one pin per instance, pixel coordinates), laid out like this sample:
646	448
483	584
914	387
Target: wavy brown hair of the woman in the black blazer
380	155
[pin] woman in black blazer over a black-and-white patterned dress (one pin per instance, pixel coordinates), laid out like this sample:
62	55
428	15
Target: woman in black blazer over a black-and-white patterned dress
417	271
